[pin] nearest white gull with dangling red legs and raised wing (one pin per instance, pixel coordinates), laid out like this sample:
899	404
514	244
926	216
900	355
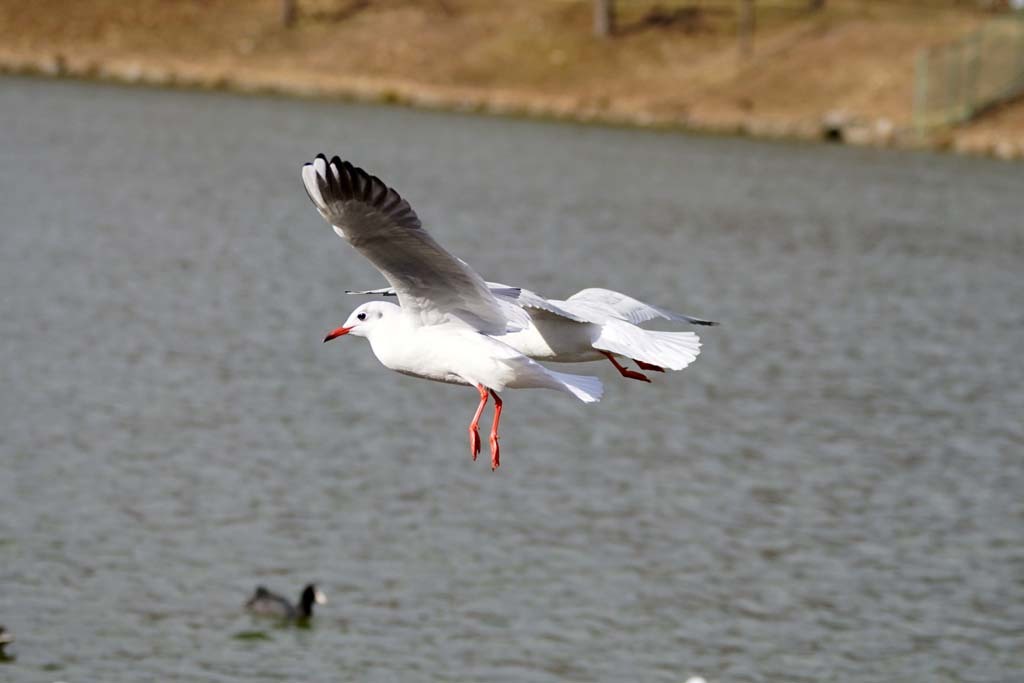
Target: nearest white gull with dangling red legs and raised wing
446	325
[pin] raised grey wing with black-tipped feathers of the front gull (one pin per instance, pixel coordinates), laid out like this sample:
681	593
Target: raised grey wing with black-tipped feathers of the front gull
433	285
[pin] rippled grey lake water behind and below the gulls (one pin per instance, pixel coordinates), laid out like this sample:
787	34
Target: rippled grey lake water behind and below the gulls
833	492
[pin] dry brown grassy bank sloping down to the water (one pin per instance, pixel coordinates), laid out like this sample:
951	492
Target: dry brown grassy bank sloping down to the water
850	65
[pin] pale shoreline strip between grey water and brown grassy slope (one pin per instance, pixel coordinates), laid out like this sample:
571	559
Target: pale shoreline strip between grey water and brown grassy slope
235	73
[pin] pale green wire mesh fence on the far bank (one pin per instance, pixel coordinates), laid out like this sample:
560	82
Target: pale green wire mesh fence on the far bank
957	81
